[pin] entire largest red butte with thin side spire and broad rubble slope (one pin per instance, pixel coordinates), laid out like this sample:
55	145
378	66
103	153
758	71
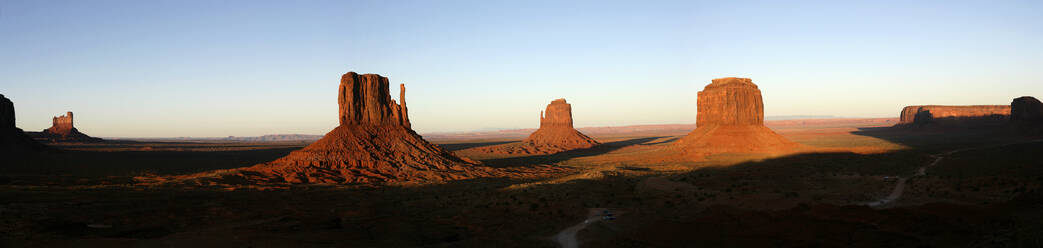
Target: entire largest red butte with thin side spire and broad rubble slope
374	143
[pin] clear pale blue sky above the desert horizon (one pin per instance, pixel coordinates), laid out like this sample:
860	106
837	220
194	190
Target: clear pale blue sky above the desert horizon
159	69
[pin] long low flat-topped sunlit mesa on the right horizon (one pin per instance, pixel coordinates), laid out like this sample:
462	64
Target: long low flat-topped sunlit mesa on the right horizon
954	115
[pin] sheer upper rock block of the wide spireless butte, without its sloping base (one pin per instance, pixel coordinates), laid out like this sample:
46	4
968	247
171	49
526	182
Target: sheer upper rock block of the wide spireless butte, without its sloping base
731	102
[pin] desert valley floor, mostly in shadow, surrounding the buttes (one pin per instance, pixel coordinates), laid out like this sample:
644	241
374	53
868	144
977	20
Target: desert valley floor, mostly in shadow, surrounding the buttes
968	187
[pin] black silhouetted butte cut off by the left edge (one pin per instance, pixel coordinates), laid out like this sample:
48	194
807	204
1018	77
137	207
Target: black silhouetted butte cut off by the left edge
13	140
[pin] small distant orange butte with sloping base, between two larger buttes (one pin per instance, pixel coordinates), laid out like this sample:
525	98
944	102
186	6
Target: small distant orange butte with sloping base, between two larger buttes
555	135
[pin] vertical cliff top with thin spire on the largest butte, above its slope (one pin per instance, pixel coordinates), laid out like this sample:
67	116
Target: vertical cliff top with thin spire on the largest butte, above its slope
366	101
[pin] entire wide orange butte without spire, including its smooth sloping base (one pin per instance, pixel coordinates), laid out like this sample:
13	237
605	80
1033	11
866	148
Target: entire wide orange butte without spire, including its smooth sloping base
731	119
